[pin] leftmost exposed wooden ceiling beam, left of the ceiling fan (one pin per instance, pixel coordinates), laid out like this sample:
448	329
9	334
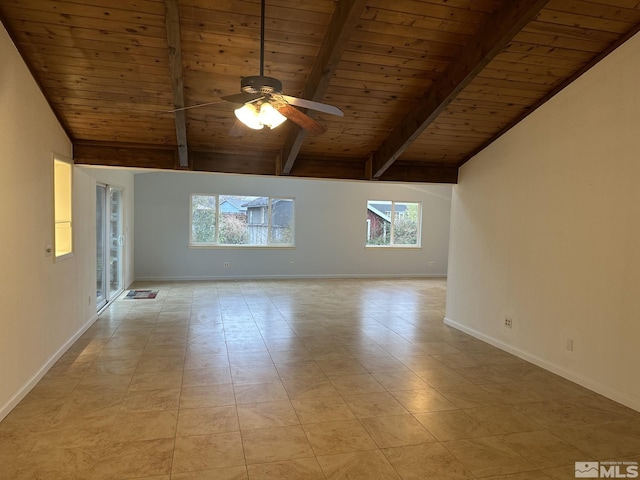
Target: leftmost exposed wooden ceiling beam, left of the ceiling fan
172	20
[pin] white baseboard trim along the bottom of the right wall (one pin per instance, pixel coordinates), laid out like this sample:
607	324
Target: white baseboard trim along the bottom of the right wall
591	384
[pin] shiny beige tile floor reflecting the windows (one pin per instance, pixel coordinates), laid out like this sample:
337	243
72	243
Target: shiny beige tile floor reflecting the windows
327	379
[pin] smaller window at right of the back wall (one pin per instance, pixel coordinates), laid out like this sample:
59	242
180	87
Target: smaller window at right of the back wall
393	224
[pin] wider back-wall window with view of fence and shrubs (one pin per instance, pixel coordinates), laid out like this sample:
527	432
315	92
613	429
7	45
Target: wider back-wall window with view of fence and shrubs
226	220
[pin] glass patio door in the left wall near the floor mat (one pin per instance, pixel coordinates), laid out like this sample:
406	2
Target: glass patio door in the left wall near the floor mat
109	244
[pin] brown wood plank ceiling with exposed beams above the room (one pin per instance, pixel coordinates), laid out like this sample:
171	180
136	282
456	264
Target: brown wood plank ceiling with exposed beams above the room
424	84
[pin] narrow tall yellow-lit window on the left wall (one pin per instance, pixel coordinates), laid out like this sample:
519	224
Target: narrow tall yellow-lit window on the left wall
62	207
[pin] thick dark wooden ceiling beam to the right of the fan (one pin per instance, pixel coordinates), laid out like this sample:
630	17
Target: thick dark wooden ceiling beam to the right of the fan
497	31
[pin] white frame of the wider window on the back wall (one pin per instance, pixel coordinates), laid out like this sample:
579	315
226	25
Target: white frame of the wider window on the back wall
265	215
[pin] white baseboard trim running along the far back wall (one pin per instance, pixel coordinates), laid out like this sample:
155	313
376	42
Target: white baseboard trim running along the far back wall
286	277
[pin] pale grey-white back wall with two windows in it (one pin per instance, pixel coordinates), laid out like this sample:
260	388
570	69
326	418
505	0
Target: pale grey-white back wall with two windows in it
330	229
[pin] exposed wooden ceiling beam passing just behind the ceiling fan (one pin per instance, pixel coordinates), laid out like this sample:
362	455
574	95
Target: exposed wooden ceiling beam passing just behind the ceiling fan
345	18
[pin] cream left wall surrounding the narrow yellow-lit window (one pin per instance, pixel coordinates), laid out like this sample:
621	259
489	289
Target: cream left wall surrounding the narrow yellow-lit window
44	306
